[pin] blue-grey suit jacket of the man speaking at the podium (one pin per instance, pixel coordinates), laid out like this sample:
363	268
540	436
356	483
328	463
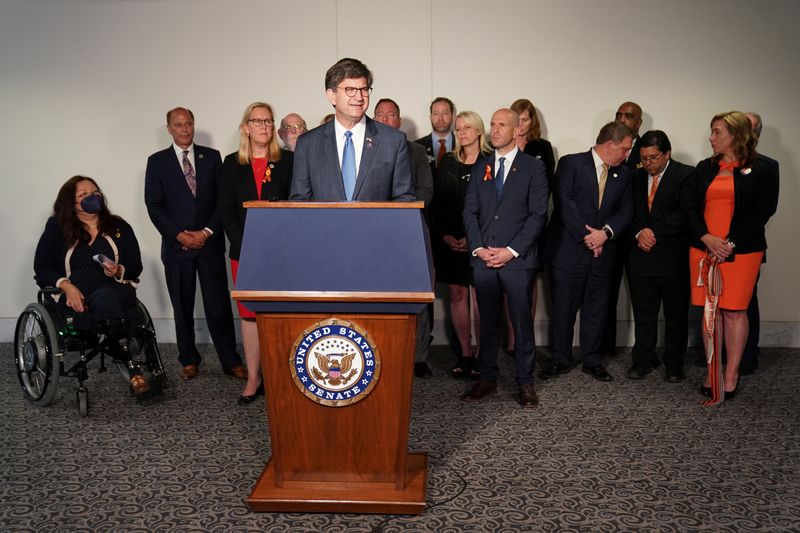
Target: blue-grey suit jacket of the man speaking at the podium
384	173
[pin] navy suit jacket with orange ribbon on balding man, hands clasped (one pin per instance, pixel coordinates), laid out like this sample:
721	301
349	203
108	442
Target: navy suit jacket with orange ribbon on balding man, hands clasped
516	219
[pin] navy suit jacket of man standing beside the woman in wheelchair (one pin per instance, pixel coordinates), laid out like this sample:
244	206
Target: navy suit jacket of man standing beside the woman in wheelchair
171	206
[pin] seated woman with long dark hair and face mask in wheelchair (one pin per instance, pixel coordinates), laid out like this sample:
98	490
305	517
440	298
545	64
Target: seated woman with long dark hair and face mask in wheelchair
94	258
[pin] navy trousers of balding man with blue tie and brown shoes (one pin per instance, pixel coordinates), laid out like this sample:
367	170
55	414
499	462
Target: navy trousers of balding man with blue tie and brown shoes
490	285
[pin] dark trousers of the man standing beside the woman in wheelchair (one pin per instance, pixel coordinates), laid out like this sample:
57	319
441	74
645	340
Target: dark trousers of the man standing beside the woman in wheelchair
182	283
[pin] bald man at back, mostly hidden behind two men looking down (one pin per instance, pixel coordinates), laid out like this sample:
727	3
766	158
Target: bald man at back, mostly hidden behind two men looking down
629	114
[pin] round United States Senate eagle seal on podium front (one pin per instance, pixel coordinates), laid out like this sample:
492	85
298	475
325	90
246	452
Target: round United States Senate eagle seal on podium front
335	363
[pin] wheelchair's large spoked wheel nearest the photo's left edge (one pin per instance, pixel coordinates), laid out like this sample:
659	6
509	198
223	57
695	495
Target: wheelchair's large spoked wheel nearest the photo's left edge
37	354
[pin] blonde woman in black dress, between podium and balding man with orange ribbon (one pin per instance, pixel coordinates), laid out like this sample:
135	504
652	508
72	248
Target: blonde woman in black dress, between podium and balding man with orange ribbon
451	257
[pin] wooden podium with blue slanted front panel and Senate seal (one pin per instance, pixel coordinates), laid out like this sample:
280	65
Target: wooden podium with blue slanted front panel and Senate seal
336	288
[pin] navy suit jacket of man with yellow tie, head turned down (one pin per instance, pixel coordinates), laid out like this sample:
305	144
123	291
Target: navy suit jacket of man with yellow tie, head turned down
576	205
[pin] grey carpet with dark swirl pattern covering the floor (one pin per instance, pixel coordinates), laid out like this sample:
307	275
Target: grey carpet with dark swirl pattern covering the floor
626	456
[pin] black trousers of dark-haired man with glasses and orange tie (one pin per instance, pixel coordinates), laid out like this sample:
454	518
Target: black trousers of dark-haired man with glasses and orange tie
647	295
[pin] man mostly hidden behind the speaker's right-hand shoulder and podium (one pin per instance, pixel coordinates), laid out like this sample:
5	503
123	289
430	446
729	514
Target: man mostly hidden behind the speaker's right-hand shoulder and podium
387	111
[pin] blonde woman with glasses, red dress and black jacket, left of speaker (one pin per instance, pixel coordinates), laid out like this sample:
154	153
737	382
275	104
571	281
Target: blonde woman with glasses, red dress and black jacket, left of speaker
259	170
